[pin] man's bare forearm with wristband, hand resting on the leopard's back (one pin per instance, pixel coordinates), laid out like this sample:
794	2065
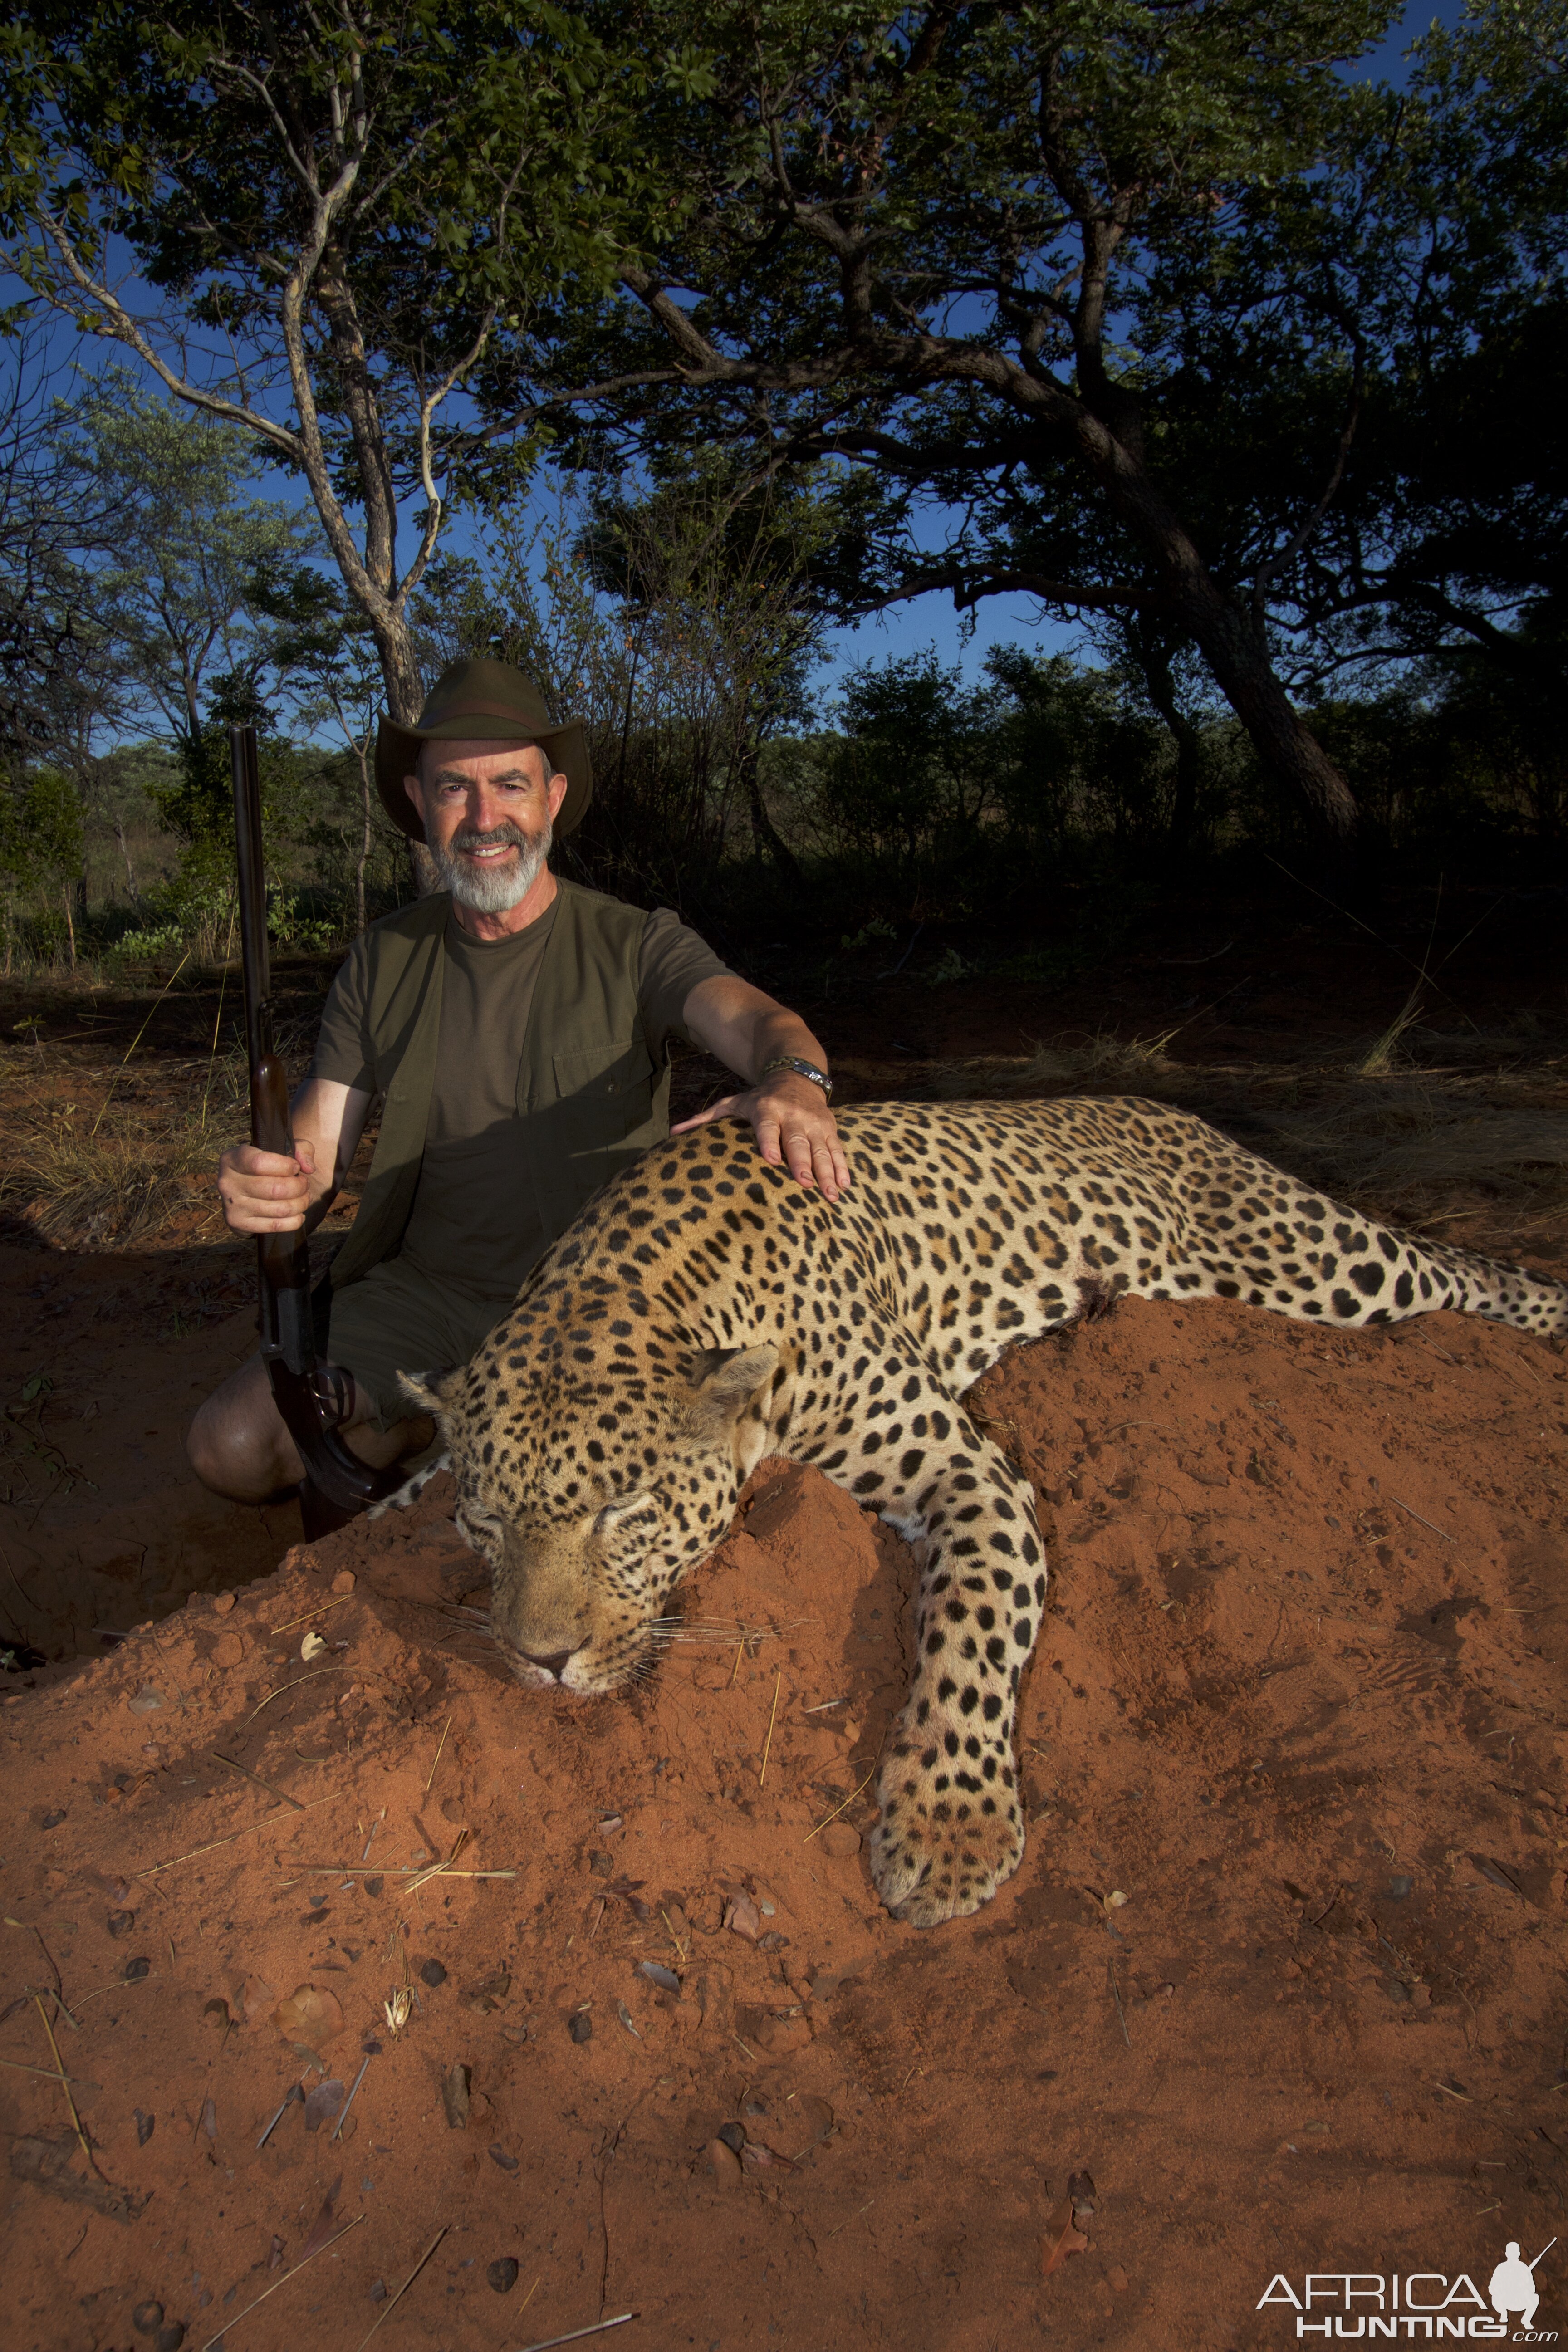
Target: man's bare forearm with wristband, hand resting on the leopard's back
791	1118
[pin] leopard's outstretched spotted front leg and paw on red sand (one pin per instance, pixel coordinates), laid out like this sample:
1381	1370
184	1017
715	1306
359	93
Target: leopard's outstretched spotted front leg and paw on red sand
951	1824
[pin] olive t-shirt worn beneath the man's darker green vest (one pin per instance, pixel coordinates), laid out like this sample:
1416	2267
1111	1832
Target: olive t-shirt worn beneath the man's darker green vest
474	1224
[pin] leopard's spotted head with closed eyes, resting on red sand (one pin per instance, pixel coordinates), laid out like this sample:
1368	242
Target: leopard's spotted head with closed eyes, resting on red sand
594	1492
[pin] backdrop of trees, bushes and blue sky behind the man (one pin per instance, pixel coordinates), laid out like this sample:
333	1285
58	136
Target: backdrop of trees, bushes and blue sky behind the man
652	354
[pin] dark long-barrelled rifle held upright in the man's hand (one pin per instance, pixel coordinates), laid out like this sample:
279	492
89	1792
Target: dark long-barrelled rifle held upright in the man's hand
309	1396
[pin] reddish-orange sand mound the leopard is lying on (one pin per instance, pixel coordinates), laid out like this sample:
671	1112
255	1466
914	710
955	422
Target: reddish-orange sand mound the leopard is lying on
1280	1979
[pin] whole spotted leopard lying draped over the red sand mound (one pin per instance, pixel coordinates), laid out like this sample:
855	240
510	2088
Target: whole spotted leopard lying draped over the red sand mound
706	1311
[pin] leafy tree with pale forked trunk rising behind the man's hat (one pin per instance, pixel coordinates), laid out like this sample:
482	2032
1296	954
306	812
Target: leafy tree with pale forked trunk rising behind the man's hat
340	218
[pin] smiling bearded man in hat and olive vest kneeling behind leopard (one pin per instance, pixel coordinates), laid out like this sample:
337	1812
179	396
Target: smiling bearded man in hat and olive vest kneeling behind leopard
516	1031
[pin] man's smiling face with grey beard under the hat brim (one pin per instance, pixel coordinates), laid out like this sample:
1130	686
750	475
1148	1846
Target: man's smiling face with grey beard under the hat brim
488	810
